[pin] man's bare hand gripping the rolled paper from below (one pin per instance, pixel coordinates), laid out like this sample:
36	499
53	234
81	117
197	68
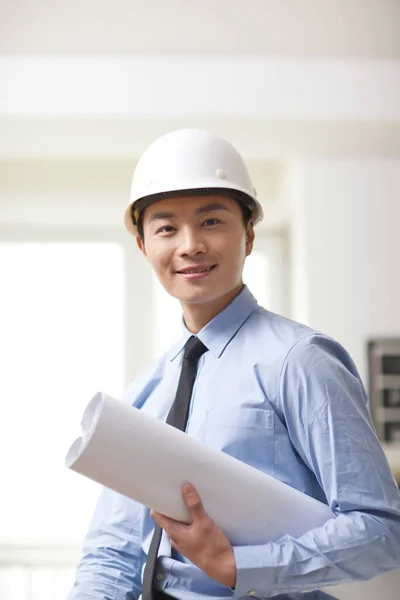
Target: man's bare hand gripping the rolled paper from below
202	541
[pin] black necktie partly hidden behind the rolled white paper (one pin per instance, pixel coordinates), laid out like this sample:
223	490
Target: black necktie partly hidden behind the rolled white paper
177	417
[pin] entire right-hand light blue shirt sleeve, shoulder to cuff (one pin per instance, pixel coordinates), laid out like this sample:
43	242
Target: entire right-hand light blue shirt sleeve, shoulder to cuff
324	405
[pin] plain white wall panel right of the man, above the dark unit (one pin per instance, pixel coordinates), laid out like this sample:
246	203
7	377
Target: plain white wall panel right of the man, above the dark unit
345	249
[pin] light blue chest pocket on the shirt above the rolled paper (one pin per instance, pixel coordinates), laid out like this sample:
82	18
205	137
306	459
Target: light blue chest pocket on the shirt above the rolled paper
245	433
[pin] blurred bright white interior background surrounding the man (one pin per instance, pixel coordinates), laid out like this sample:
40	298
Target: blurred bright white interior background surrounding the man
308	92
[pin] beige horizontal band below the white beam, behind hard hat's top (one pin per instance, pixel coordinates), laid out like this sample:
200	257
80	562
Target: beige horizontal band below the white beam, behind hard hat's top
125	139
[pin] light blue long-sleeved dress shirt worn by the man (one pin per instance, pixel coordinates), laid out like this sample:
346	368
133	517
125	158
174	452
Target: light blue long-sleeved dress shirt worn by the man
288	401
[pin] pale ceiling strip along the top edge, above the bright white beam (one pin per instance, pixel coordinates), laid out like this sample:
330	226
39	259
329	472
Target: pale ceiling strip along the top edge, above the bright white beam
341	28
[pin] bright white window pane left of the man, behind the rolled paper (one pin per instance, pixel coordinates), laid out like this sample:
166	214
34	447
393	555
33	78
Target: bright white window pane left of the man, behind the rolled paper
62	339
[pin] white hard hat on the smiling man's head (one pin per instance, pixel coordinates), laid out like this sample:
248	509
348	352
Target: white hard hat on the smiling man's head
189	162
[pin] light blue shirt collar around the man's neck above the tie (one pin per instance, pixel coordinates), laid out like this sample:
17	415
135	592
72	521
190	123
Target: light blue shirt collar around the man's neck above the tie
217	334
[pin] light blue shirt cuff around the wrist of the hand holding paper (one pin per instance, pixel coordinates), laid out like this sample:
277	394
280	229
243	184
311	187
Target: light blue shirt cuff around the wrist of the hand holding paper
254	571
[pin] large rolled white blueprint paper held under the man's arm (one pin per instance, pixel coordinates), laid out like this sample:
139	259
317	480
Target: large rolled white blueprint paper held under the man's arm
129	451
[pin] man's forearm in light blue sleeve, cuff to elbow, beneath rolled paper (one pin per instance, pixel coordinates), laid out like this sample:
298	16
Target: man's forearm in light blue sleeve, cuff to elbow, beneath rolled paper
337	552
